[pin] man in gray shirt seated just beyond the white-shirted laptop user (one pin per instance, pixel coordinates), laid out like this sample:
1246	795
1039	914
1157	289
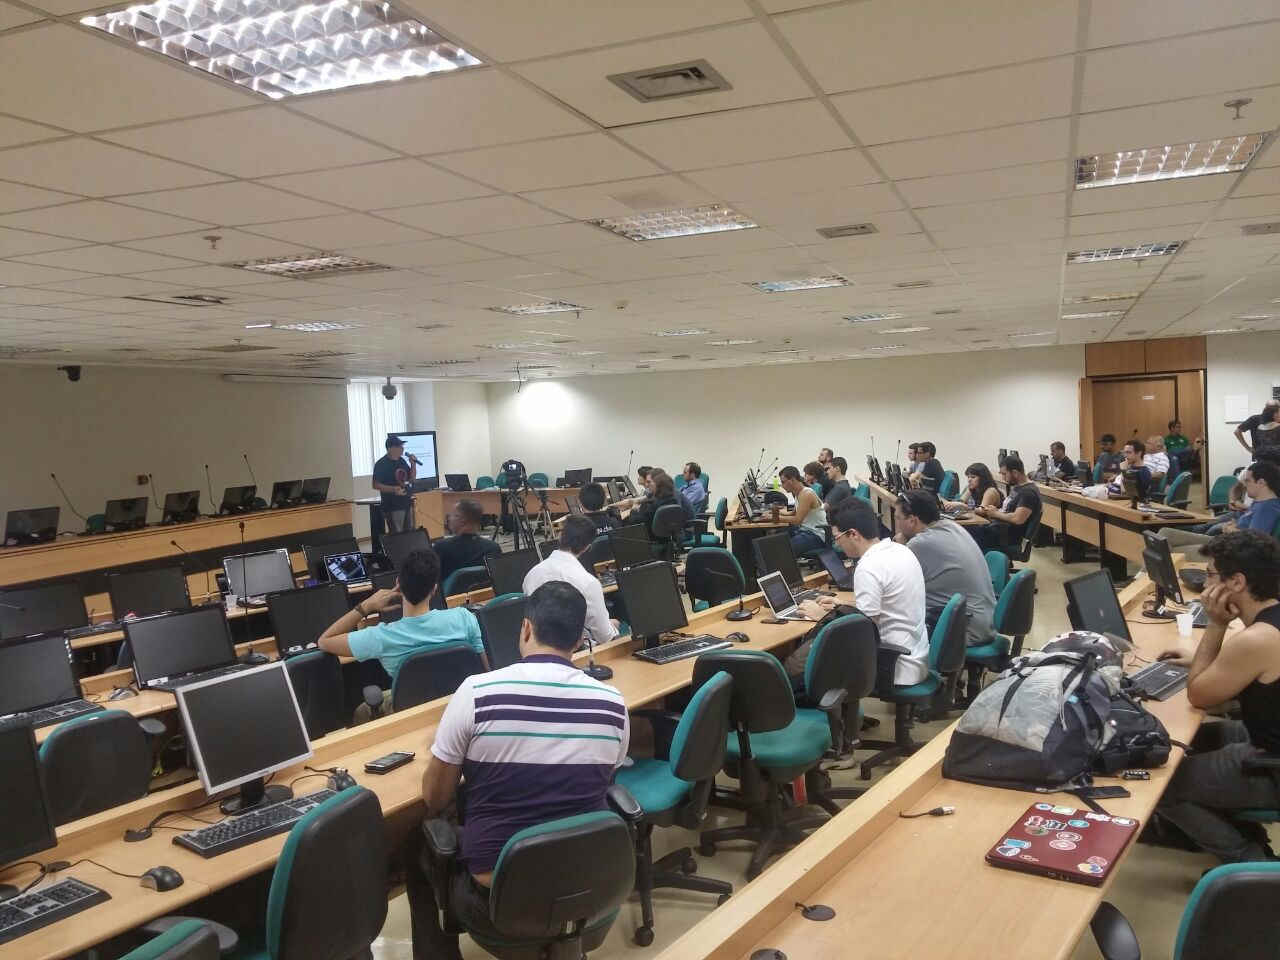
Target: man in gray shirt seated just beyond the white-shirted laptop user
950	560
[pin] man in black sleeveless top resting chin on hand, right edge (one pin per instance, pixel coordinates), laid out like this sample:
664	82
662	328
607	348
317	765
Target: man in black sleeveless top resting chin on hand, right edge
1212	783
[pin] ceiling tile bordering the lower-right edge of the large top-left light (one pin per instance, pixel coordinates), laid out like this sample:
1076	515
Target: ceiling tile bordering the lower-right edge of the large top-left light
473	108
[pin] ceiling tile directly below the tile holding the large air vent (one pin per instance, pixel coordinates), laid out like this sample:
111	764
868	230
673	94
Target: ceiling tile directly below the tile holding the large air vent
739	136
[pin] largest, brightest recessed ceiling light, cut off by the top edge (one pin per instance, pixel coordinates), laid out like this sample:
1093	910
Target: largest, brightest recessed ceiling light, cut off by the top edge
286	48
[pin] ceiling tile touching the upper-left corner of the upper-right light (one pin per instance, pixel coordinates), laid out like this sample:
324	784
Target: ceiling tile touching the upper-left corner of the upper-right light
953	104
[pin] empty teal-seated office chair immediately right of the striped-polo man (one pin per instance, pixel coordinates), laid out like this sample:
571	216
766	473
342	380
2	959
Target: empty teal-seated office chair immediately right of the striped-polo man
675	789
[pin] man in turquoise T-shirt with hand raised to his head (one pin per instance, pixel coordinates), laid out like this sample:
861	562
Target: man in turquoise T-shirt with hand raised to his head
417	630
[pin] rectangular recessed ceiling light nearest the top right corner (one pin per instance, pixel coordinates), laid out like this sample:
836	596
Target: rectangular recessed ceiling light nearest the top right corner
1168	163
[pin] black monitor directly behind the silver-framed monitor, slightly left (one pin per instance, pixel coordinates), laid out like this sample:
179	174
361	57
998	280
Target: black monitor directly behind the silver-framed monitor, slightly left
184	642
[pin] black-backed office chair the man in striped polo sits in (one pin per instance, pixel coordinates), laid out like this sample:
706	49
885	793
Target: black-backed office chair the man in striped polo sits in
556	890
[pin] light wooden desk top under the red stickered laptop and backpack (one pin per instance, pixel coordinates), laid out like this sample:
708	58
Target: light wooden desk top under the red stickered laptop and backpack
920	888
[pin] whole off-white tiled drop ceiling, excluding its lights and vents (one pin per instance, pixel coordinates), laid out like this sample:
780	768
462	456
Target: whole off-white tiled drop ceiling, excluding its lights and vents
952	127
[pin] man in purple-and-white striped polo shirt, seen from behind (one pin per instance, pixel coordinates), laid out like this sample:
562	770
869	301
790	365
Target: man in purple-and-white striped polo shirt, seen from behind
534	742
